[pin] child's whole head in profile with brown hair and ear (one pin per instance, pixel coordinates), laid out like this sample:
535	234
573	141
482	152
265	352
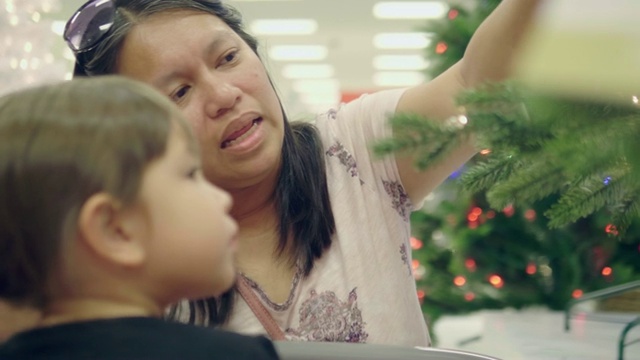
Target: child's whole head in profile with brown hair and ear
101	195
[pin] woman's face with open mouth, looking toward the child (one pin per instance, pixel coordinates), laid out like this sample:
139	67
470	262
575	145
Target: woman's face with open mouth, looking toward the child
220	85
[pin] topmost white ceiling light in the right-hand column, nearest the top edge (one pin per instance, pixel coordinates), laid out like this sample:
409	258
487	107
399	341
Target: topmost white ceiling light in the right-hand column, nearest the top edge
410	10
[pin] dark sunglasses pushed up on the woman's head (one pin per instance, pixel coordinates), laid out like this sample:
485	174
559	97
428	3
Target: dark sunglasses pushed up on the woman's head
89	24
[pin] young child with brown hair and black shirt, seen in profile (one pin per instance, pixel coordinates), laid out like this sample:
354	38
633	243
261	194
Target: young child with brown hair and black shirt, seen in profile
105	221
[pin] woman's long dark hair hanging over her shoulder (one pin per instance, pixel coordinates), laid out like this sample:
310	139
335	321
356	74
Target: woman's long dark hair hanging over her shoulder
302	198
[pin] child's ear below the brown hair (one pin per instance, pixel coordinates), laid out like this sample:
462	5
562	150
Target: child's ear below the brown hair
110	231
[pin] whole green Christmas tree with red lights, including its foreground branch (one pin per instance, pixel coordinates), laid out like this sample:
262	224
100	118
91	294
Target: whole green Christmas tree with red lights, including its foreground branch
547	210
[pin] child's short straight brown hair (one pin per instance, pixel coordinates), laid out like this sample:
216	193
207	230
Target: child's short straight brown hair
59	145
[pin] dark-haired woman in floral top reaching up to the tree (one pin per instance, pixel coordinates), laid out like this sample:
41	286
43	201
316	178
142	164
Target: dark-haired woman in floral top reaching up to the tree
324	226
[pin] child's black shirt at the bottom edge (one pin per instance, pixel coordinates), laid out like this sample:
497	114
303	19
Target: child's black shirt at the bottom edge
134	338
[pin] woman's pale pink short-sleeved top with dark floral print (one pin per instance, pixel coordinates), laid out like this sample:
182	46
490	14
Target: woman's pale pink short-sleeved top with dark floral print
362	289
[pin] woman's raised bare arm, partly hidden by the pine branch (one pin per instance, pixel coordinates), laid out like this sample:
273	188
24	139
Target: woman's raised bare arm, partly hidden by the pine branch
488	57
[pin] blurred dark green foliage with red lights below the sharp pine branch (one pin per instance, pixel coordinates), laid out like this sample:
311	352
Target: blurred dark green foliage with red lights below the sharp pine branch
508	243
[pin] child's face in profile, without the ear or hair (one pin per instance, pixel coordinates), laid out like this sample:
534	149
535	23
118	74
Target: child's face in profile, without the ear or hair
192	237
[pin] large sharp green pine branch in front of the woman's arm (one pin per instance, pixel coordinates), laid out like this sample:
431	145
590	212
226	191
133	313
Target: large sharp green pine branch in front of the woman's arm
540	145
